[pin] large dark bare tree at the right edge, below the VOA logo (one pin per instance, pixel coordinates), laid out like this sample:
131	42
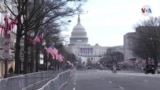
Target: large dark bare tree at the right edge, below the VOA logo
146	41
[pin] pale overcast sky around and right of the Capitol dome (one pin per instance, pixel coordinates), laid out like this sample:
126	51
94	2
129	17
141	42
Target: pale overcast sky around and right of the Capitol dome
107	21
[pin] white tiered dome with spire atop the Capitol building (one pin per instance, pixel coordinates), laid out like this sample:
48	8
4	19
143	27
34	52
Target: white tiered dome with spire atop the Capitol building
78	35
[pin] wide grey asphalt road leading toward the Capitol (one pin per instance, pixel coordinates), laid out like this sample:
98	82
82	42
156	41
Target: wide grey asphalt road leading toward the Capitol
106	80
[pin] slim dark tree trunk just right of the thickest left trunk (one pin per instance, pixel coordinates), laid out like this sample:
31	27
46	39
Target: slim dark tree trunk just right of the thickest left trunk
25	54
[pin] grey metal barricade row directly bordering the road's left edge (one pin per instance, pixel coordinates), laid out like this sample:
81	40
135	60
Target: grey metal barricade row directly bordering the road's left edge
58	82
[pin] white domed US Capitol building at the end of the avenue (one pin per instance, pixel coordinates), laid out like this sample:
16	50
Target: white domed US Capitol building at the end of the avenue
80	47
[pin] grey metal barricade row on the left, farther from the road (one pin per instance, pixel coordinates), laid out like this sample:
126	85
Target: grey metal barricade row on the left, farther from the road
31	81
